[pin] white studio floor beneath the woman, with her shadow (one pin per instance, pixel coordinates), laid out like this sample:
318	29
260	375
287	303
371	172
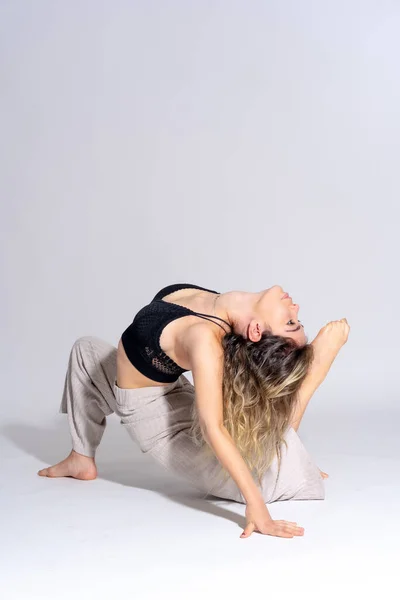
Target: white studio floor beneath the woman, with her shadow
138	532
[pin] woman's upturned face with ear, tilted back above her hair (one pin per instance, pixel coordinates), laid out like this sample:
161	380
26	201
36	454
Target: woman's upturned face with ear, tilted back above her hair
279	313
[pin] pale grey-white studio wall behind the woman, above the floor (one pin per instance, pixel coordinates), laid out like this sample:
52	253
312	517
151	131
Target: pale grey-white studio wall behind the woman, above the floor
231	144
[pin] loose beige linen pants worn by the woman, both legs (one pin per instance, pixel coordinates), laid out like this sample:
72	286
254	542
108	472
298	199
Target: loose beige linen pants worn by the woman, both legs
158	418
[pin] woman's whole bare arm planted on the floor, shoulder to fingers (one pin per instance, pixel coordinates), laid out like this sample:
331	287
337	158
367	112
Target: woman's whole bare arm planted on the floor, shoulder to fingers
206	357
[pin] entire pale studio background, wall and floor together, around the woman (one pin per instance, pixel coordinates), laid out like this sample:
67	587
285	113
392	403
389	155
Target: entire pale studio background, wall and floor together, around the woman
235	145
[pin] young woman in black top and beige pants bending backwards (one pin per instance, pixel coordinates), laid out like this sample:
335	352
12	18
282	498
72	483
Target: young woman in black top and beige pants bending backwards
253	374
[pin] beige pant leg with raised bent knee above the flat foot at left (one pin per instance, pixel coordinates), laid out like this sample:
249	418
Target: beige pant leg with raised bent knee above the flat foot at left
88	394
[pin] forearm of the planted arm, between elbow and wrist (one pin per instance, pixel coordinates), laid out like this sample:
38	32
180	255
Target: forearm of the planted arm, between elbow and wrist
230	458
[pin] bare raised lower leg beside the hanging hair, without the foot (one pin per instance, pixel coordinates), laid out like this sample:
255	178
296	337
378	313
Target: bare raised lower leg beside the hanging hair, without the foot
322	362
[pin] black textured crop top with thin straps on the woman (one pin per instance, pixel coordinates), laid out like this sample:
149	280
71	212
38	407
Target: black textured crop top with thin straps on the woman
141	340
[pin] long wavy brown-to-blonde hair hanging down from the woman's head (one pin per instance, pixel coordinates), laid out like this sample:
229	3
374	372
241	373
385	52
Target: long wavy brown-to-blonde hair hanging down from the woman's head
260	384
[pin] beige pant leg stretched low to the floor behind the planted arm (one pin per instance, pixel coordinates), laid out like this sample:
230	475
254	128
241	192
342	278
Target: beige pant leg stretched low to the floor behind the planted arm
159	420
